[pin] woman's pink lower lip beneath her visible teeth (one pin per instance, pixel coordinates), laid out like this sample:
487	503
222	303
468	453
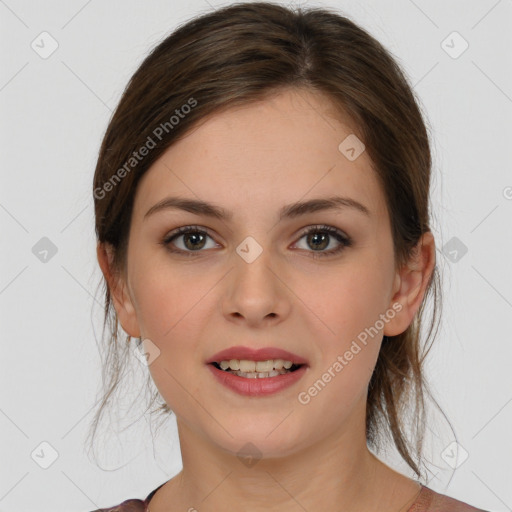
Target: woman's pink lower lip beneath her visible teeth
258	386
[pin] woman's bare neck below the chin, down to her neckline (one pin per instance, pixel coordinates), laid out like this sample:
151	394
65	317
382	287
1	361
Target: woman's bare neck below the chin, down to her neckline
338	473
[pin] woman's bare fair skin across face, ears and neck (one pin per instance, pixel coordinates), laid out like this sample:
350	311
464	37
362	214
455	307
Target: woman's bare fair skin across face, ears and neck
253	160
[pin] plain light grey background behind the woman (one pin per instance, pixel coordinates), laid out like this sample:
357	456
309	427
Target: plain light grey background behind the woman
54	112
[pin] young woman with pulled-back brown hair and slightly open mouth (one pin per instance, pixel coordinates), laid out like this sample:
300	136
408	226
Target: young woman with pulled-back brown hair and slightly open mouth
262	216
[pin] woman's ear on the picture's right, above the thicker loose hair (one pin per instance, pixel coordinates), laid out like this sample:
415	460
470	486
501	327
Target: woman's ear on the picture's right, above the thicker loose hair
410	285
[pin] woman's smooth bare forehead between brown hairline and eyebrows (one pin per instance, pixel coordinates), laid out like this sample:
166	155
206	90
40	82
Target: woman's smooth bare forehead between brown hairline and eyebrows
280	150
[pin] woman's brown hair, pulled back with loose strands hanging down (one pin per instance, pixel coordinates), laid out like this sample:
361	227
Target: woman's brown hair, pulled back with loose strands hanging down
241	54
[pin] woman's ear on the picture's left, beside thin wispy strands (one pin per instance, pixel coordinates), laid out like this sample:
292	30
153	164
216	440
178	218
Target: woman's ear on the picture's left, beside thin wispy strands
118	290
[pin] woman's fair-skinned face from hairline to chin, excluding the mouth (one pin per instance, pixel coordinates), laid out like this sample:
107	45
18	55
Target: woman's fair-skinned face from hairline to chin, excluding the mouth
256	279
